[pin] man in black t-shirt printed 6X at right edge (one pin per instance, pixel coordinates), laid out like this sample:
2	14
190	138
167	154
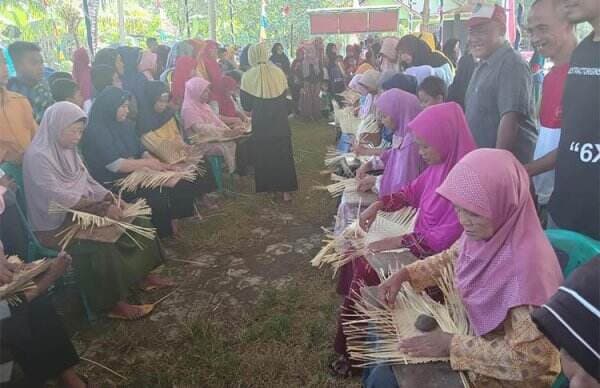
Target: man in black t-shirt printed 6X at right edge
575	203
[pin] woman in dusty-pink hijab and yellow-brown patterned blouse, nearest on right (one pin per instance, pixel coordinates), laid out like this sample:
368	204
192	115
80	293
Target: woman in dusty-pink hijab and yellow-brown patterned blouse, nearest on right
504	266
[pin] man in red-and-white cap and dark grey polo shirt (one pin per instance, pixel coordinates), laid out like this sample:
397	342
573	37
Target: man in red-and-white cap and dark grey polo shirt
499	106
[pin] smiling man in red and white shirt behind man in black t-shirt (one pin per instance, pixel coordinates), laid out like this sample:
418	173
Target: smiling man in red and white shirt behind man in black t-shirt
553	35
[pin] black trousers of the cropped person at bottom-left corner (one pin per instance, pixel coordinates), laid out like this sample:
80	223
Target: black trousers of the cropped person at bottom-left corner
35	337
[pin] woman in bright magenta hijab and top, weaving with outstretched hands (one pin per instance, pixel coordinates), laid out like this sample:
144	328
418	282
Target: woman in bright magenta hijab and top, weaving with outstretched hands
443	137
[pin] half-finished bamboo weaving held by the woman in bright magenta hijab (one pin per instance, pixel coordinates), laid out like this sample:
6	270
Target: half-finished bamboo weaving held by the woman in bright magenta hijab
354	241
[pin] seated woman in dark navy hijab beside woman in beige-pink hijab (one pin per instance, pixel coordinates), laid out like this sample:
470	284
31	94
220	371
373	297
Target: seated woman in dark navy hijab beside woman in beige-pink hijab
112	149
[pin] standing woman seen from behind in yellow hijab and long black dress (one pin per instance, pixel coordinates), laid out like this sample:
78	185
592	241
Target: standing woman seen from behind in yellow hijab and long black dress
263	94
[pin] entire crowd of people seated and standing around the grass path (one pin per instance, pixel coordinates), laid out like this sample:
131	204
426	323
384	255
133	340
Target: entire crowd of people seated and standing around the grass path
455	135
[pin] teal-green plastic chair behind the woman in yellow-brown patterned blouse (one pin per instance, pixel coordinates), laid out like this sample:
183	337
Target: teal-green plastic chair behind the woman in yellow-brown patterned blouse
580	249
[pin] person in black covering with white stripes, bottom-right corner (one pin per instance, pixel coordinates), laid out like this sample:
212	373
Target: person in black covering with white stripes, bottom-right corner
571	321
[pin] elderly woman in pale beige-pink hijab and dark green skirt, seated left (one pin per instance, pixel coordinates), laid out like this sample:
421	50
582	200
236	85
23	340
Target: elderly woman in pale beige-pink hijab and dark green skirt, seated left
54	173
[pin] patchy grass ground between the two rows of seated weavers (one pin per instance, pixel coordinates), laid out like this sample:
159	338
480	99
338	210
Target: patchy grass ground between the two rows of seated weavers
250	311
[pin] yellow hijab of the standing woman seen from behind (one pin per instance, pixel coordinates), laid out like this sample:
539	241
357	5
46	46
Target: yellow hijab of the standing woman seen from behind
263	80
